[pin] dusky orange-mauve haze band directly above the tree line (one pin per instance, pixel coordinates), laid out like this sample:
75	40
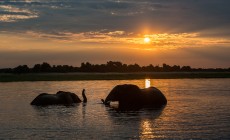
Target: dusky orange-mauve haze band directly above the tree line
199	57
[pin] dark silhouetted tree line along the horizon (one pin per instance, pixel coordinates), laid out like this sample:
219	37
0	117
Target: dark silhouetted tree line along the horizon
110	66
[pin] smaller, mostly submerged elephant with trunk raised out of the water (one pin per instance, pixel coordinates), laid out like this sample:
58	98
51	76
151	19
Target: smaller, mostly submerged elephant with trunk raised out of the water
60	98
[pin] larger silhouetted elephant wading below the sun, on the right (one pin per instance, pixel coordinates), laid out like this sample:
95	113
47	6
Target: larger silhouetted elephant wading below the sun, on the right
131	96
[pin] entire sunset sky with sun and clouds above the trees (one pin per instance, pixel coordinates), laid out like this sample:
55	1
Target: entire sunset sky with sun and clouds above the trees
181	32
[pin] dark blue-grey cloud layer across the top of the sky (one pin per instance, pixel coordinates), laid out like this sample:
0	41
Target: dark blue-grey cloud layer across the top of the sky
162	16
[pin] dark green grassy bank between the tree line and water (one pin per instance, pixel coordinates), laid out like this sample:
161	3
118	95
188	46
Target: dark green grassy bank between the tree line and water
108	76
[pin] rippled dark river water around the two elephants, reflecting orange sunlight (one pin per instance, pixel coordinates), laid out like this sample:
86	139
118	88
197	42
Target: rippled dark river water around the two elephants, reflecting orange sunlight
196	109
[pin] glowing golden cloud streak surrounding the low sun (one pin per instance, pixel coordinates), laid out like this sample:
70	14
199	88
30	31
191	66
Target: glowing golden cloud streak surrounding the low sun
132	40
